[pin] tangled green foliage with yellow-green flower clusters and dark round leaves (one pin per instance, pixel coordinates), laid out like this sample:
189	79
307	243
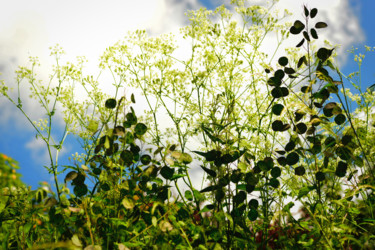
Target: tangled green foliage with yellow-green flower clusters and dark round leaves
267	134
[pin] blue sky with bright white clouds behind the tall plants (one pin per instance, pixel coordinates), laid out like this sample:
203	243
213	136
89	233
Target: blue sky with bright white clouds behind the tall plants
86	28
